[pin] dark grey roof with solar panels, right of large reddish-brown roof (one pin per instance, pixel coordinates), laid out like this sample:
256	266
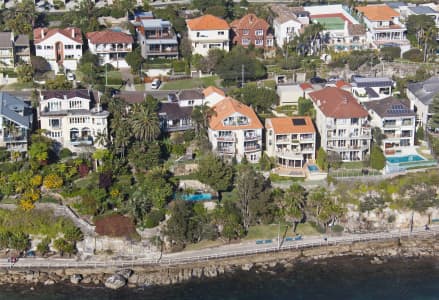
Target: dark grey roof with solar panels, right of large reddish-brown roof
390	107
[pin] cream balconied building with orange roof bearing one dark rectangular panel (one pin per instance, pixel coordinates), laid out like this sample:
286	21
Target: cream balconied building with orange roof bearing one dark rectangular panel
291	140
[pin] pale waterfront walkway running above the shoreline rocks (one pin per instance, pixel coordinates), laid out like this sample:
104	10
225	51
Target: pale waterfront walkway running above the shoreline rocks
226	251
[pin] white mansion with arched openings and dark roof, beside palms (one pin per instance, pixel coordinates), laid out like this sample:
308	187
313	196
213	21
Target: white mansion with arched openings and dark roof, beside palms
69	118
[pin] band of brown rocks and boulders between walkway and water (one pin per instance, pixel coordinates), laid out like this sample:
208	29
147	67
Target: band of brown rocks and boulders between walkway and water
377	251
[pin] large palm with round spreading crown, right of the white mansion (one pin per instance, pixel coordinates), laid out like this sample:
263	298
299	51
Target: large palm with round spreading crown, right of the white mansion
145	123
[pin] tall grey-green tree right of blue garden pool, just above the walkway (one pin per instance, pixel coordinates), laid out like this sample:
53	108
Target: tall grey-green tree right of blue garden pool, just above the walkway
253	192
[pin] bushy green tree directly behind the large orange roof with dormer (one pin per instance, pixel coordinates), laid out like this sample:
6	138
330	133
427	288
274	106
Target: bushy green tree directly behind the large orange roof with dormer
261	98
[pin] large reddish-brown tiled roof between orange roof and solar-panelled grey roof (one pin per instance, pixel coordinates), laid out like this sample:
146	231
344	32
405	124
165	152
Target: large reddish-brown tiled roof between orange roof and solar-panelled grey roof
337	103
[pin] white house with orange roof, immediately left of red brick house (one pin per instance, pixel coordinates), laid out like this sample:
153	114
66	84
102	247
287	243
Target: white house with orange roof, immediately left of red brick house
208	32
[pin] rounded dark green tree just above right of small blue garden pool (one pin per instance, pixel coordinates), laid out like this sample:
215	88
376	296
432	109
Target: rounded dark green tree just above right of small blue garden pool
214	172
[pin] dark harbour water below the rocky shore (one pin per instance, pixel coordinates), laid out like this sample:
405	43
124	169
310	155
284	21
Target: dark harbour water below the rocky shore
342	278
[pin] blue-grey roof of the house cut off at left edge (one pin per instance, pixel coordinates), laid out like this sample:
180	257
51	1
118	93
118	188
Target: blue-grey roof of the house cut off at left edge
9	108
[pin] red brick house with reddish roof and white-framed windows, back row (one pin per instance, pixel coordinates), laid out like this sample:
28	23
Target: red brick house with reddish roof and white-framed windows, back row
251	30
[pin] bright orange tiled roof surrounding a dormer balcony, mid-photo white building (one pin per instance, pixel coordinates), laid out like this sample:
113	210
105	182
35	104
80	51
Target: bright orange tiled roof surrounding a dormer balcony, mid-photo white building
227	107
